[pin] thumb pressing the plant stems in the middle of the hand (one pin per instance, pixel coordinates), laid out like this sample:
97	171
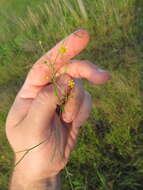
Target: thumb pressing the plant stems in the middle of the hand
44	106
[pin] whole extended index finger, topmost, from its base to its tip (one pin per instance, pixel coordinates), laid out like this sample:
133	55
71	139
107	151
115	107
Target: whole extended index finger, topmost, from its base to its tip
39	75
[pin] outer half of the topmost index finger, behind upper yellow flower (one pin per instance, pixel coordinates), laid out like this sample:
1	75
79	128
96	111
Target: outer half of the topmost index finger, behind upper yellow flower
66	49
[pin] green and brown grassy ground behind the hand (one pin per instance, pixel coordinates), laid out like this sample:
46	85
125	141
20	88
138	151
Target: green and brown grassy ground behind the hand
110	148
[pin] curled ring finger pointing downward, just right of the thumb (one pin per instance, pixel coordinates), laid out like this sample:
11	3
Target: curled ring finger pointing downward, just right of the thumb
74	102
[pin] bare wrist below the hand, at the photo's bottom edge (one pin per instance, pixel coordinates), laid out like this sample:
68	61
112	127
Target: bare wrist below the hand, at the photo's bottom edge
29	176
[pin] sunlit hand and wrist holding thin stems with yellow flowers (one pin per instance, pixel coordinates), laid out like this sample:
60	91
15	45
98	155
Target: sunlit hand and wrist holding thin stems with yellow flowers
33	116
